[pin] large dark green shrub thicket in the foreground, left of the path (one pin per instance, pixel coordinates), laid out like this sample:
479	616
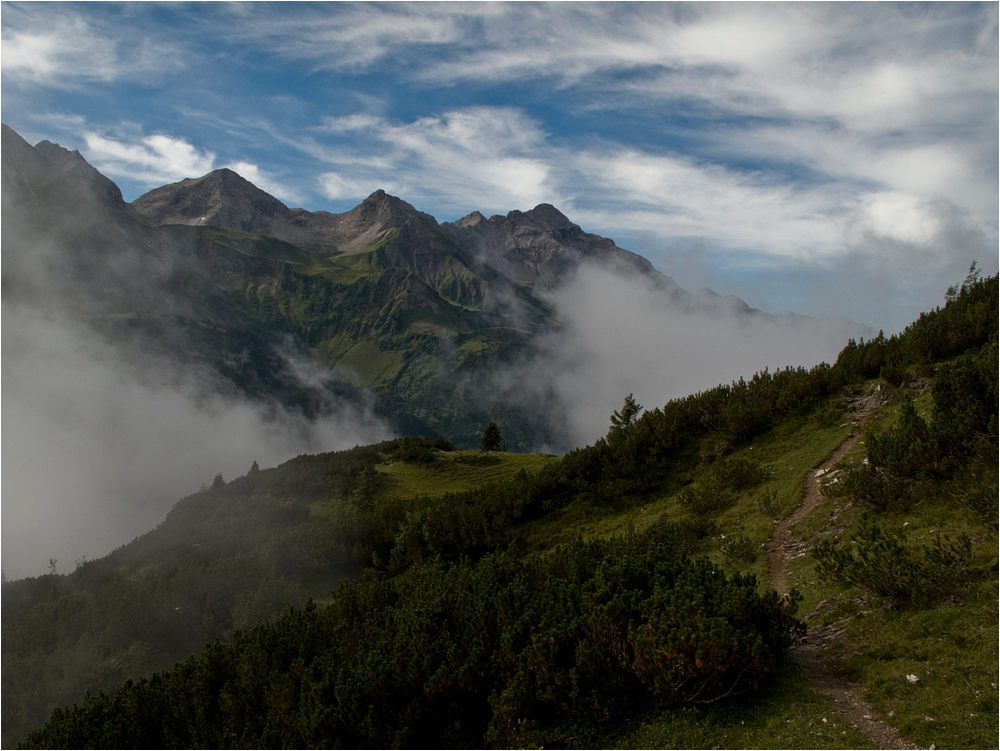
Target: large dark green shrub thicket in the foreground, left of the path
497	652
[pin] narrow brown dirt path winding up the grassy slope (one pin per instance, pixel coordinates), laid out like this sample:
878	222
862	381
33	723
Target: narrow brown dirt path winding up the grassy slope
812	654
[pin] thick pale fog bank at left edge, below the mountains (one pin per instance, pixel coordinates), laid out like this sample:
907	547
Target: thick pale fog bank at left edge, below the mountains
96	449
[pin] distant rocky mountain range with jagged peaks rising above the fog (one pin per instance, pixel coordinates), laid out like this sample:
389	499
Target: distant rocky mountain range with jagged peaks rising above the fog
379	305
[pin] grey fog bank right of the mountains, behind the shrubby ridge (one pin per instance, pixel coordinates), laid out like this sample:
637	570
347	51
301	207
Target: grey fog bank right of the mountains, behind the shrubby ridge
621	334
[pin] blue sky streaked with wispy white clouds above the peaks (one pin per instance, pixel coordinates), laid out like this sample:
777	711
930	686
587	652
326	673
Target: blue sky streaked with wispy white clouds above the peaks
831	159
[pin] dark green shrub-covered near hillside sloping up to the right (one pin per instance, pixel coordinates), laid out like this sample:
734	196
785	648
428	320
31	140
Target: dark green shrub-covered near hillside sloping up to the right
708	474
